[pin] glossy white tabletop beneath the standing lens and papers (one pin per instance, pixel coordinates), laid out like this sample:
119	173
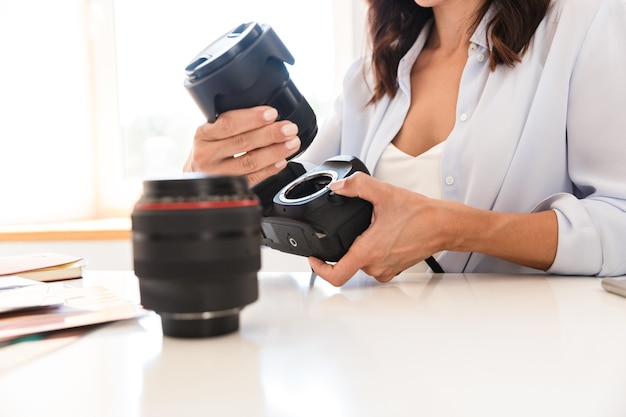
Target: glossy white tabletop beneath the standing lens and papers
424	345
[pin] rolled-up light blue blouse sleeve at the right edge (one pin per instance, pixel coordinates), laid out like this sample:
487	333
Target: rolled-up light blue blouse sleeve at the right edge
592	222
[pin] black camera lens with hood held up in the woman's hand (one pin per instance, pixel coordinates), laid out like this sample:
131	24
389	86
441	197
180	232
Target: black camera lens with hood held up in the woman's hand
245	68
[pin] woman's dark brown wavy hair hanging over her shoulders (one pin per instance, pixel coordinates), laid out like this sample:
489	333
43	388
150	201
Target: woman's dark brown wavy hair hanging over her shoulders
395	24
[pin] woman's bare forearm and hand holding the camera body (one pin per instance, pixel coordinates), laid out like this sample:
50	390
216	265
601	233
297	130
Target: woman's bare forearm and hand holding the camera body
408	227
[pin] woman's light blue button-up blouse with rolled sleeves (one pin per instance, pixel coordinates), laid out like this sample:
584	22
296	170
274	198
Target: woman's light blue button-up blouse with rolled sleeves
549	133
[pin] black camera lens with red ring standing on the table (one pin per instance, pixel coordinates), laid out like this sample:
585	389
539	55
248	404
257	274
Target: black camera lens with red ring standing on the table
196	252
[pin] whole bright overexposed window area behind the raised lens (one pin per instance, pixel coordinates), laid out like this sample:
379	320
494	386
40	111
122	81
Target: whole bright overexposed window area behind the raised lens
92	100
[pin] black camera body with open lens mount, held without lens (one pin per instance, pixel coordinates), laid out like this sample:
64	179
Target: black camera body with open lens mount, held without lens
306	218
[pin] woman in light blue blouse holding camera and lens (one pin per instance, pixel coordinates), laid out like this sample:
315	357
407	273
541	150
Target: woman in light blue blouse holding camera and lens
493	131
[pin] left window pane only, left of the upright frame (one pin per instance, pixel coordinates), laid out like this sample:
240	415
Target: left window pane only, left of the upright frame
45	118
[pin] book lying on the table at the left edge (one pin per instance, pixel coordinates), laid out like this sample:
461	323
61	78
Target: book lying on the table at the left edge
42	266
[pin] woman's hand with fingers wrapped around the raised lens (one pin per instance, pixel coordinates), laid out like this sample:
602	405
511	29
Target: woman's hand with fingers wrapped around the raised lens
247	142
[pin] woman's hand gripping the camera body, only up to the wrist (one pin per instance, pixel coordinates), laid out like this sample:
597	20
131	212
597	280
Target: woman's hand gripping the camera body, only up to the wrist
404	231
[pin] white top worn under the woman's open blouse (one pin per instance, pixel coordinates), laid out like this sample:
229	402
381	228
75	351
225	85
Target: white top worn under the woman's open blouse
420	174
